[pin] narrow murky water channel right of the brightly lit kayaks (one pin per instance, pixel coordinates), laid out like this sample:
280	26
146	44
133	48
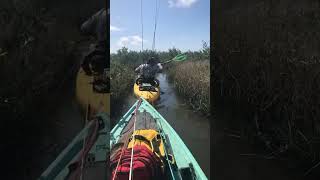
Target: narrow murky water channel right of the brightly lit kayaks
193	129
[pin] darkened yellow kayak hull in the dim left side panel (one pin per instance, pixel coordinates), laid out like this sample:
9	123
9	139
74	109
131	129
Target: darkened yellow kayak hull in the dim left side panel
86	96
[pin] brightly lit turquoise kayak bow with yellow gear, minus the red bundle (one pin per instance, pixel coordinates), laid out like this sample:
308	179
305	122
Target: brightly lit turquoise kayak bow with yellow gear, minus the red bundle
142	125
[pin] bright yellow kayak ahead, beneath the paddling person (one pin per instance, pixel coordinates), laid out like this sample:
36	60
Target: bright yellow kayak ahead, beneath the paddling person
147	91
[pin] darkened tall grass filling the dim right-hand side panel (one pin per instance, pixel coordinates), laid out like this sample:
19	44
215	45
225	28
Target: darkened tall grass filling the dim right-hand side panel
268	66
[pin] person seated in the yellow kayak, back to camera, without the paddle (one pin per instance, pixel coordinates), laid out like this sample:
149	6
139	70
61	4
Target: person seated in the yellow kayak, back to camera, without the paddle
147	72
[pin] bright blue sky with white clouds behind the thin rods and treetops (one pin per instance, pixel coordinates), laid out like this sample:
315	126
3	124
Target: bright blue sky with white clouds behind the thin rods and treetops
182	24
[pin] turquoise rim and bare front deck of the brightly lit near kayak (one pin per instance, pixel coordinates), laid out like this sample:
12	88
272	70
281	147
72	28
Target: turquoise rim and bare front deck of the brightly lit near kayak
147	118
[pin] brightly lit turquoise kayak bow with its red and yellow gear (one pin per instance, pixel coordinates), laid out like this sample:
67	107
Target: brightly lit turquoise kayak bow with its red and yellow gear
145	138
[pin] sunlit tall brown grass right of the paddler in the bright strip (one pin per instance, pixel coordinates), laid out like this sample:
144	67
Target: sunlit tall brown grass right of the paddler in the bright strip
192	78
